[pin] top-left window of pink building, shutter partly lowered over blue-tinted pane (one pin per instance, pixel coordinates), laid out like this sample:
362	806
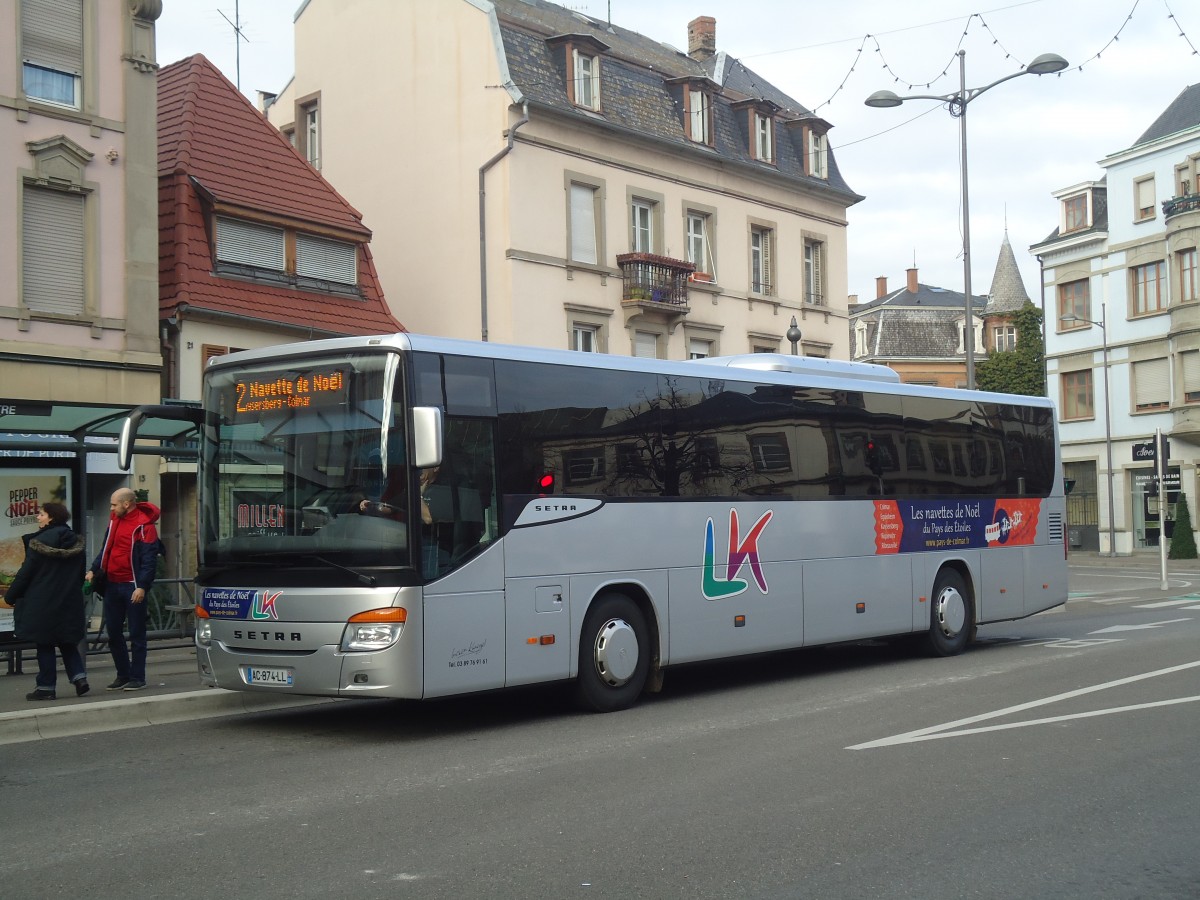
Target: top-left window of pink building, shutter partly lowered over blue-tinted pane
52	51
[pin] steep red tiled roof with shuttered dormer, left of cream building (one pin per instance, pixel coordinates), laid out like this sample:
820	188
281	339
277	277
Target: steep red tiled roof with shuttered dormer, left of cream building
214	147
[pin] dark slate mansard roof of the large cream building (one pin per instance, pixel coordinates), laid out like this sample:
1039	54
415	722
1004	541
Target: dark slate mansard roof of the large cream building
637	98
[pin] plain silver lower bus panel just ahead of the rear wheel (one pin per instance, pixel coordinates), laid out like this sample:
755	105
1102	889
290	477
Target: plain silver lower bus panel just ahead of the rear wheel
835	589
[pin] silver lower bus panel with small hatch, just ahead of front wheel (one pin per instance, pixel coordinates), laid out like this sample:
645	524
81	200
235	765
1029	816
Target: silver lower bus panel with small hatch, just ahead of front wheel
538	629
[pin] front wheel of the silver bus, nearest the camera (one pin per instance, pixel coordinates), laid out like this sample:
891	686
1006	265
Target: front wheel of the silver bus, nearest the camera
615	656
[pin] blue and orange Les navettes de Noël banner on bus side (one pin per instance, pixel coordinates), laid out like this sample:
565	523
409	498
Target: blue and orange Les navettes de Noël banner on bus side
915	526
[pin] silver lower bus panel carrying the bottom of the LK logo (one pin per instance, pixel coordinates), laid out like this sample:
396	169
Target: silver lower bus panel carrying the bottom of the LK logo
709	627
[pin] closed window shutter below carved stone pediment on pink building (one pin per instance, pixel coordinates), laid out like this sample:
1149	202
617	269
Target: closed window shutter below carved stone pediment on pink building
53	251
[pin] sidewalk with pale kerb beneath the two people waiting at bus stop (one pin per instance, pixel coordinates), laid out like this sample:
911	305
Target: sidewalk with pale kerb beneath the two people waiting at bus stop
173	694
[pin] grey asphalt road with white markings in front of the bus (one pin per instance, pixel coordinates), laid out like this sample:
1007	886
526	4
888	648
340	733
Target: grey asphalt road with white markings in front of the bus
1057	759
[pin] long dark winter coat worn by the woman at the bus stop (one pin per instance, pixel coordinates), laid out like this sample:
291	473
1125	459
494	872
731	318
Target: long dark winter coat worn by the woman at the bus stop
47	591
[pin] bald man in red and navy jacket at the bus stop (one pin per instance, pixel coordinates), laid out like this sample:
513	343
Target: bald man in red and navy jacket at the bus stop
129	561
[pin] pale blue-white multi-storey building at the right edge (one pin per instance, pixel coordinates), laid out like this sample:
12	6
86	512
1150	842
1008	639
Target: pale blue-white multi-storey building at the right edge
1121	283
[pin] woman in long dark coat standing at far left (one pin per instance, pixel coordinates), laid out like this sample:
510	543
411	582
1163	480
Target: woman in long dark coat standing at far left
47	596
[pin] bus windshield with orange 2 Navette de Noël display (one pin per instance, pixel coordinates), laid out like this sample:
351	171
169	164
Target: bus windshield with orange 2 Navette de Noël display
307	460
